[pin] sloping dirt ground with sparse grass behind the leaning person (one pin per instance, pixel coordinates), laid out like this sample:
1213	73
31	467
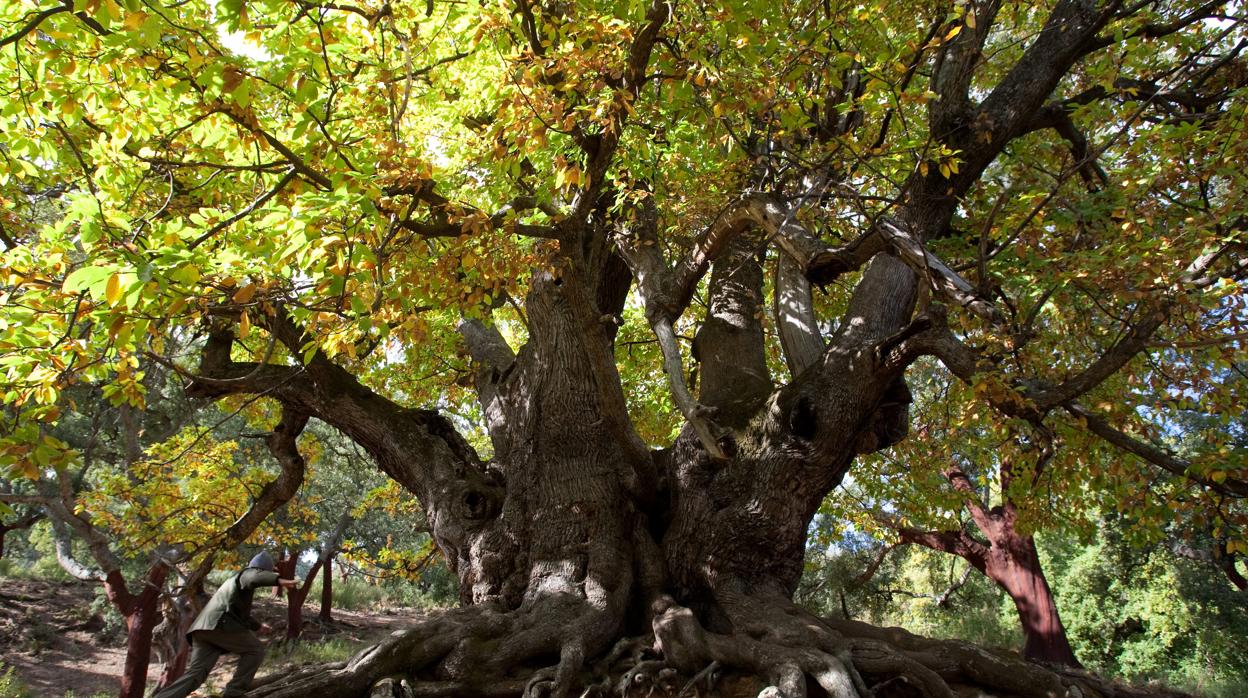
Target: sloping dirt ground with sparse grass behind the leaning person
61	646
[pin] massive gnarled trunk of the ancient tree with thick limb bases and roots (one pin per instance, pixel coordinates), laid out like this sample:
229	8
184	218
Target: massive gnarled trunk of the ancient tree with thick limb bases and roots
585	556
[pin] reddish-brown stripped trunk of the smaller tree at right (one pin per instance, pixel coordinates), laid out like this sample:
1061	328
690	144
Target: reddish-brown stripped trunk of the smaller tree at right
1014	565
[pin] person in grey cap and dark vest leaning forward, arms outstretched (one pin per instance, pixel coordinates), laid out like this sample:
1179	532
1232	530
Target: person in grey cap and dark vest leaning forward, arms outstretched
227	626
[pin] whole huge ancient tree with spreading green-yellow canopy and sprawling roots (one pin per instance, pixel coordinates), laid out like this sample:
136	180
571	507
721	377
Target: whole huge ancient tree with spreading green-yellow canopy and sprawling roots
1041	198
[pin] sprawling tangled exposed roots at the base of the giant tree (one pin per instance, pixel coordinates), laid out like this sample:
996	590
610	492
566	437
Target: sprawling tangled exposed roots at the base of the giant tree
781	652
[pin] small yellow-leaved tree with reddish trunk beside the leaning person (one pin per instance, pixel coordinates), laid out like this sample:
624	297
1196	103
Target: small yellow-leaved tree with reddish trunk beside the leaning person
145	498
